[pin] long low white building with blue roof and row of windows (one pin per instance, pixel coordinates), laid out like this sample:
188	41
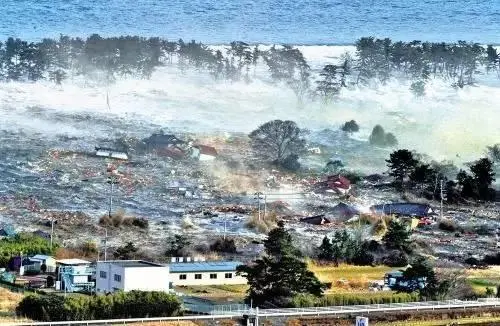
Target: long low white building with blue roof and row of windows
205	273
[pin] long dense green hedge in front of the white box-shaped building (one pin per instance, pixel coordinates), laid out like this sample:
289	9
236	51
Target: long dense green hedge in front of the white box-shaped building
134	304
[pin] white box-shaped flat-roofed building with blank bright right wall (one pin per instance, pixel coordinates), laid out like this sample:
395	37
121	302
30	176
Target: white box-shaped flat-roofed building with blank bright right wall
128	275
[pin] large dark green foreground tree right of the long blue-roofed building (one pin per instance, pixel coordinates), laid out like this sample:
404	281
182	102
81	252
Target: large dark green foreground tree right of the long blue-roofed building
276	278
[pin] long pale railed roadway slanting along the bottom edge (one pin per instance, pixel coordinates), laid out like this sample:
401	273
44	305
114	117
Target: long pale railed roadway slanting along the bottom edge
317	311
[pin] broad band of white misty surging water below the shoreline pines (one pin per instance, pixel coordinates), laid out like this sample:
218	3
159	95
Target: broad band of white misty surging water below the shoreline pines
445	124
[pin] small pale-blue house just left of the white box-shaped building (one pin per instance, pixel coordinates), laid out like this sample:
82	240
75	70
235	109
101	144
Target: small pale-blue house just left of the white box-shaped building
74	275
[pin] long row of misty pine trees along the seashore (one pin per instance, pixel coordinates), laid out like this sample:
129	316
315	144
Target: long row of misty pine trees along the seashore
376	59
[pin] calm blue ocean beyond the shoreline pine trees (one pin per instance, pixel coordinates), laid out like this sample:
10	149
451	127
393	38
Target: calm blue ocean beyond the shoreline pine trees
266	21
